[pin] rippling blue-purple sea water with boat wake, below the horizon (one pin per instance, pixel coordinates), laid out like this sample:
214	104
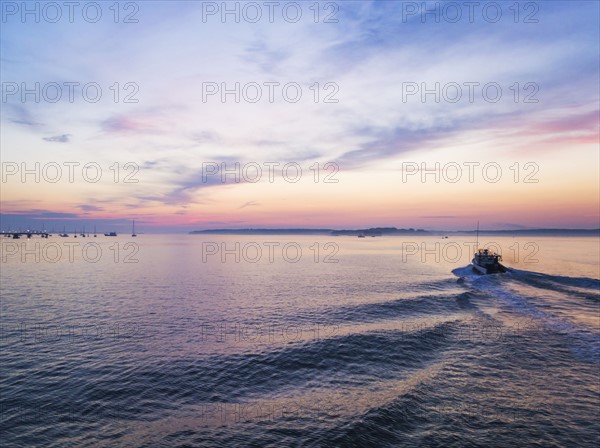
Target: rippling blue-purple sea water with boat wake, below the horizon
200	340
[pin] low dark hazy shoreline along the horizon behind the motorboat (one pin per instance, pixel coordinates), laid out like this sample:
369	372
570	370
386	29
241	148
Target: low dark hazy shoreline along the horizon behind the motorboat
385	231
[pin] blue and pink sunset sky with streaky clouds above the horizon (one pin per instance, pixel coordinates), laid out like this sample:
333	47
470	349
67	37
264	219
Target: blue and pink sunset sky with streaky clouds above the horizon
198	115
